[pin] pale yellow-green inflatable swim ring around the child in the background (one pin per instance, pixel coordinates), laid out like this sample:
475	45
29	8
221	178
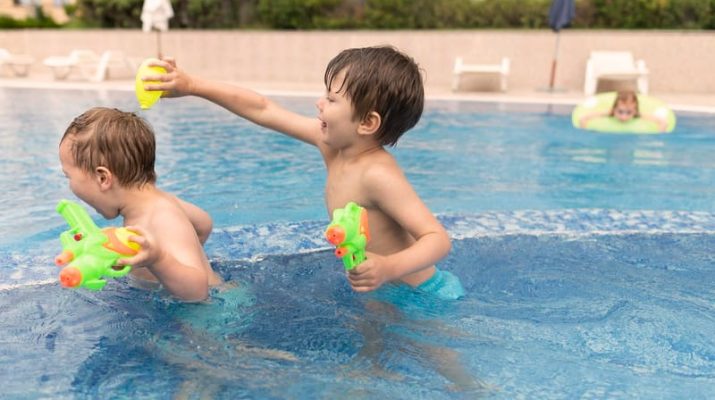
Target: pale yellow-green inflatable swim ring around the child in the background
602	103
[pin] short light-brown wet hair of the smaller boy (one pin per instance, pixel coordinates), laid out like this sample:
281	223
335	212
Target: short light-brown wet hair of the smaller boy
120	141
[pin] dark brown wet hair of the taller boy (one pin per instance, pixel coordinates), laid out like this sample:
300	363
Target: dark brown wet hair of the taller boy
383	80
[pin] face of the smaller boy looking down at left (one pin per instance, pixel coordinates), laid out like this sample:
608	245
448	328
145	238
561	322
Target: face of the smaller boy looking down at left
84	185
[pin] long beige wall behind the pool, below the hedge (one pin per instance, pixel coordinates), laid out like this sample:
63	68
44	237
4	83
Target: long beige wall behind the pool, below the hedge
678	61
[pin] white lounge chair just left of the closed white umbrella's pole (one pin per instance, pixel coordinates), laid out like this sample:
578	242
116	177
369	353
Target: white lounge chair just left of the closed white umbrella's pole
88	64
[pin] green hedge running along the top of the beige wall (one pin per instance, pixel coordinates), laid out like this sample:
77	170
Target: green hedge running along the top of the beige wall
397	14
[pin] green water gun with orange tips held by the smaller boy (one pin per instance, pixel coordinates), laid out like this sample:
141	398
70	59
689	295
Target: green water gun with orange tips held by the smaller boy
90	253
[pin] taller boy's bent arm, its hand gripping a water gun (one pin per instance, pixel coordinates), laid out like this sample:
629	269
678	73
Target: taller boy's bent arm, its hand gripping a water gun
394	196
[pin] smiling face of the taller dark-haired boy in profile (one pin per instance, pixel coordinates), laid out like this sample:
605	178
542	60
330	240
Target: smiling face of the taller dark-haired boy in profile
336	115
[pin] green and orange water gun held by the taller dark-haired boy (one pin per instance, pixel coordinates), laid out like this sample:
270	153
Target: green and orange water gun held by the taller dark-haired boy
348	231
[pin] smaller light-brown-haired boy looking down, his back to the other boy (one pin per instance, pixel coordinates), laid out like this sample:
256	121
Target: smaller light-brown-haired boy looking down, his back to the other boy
108	157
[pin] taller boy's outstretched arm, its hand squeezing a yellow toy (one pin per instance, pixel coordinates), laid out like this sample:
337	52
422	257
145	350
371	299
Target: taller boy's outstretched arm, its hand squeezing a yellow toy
243	102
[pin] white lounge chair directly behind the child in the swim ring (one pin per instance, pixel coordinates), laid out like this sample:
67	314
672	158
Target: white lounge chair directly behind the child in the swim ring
616	66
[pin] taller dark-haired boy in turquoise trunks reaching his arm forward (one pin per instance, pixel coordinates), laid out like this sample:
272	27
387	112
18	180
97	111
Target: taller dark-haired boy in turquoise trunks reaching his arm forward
373	96
